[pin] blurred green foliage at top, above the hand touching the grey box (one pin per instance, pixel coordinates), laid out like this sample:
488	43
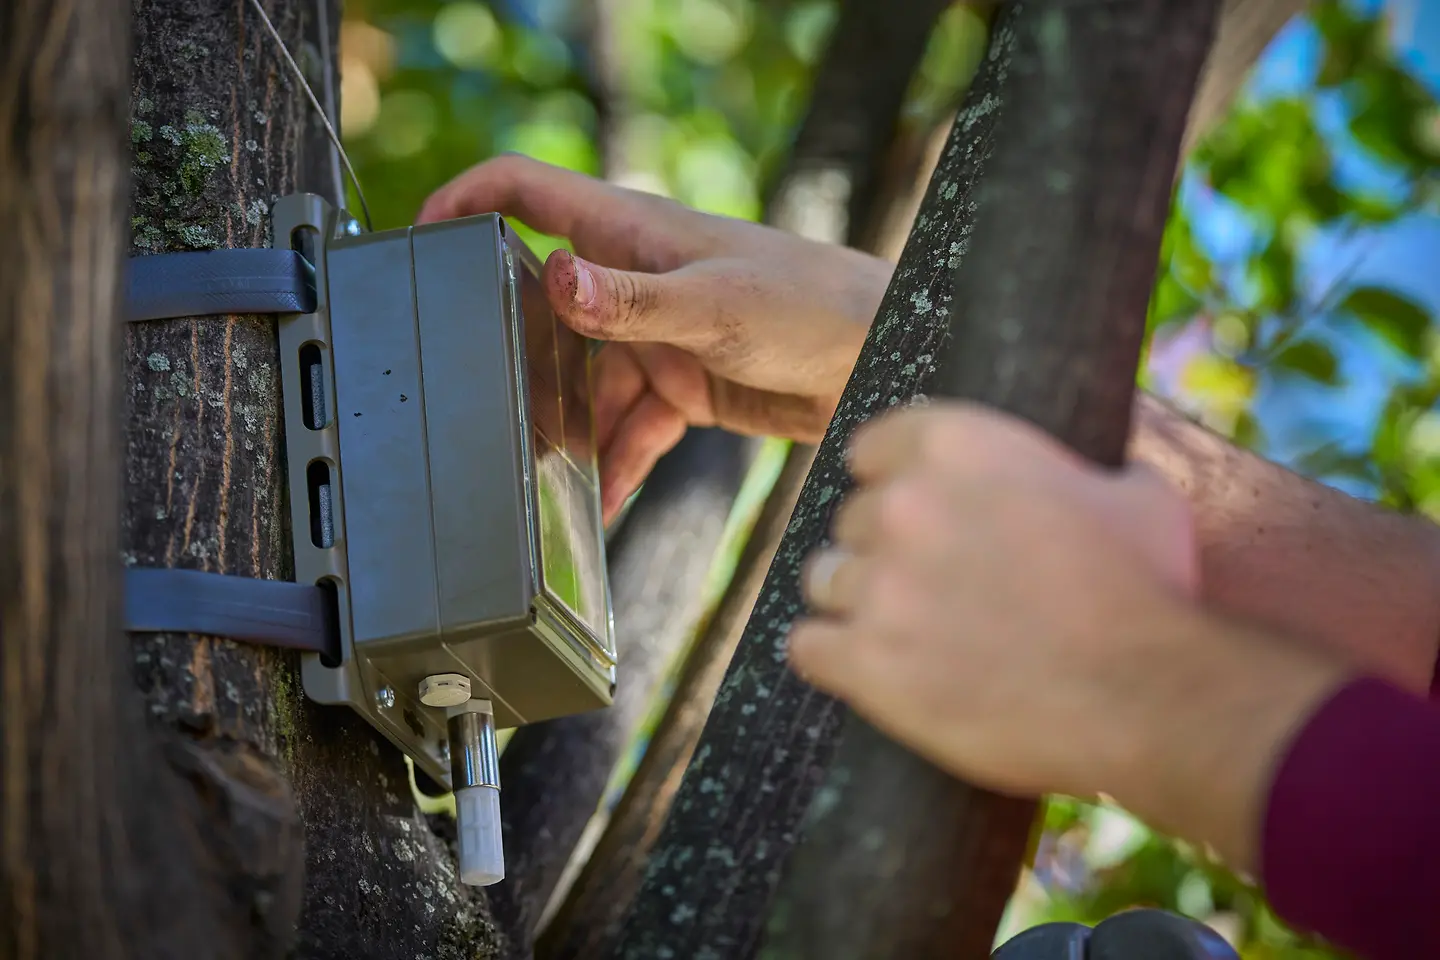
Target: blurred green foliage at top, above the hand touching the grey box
696	100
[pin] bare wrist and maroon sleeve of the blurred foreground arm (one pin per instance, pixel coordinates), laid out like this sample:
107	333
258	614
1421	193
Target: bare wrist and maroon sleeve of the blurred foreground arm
1320	781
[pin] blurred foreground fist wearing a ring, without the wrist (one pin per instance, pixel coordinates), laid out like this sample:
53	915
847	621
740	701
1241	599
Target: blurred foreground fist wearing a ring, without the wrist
991	599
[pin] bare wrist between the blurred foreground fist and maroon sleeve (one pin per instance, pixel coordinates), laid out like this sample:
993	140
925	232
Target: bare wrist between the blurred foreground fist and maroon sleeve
1232	700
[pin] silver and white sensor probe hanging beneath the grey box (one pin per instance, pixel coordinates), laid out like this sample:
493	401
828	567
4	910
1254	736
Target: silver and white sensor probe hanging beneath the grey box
476	781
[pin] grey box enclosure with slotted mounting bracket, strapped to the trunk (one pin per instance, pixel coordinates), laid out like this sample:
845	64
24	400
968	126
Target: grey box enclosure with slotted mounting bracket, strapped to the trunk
443	476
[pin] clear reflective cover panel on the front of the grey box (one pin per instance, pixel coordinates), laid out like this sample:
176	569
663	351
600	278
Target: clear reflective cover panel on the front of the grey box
572	561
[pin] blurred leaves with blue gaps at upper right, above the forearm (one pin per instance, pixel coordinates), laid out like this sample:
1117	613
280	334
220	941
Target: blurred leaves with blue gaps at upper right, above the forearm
1333	168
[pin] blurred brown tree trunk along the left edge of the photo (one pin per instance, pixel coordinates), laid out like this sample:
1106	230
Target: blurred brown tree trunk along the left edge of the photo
119	840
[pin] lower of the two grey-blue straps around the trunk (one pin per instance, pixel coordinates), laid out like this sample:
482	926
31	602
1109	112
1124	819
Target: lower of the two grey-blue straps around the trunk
271	612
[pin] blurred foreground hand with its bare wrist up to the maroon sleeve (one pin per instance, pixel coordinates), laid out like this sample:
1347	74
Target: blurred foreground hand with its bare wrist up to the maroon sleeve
1030	622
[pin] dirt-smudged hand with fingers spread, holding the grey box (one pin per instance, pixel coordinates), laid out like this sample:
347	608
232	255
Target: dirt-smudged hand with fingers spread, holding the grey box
714	322
